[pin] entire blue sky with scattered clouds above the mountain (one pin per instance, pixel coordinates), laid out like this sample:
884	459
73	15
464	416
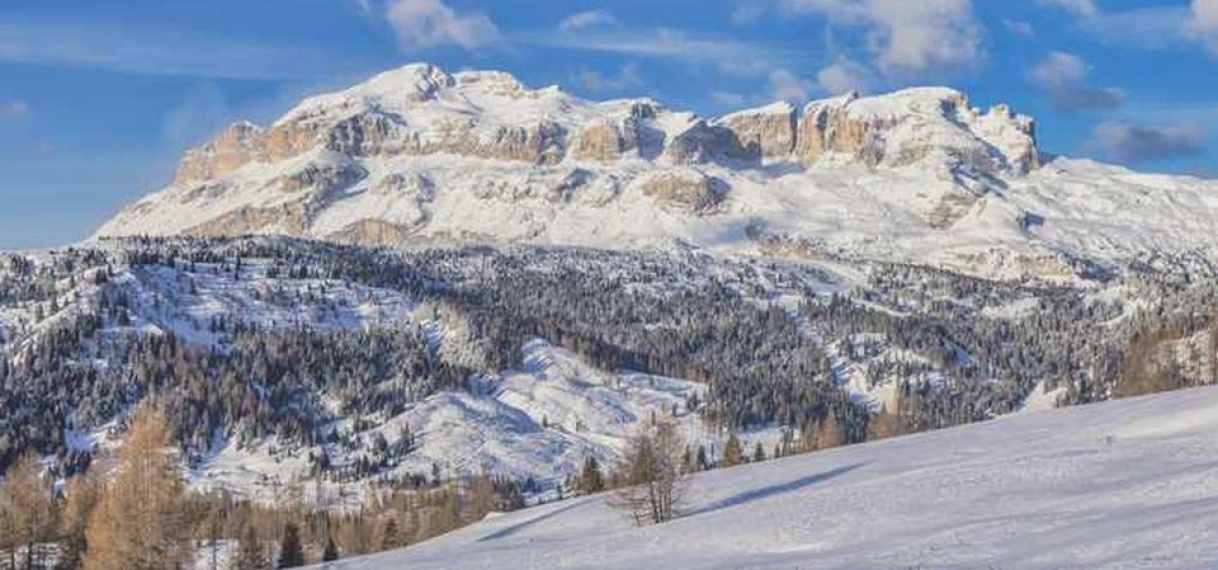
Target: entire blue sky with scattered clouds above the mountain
99	99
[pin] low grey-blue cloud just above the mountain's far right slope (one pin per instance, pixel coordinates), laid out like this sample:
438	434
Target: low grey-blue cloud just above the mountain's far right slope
1131	143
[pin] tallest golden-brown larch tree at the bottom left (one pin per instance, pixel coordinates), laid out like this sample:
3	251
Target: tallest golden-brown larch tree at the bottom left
141	522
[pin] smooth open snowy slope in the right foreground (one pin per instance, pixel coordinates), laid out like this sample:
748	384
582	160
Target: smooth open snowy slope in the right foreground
1124	485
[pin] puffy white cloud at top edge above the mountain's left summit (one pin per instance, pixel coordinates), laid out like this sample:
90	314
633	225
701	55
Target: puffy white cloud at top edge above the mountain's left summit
431	24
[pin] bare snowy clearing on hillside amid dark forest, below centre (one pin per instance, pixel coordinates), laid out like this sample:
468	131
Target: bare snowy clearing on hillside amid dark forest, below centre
541	422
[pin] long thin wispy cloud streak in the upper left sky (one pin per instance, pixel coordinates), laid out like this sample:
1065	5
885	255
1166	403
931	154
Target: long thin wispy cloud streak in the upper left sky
160	53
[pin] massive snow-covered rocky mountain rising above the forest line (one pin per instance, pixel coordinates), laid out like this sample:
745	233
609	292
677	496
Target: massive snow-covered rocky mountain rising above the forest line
422	157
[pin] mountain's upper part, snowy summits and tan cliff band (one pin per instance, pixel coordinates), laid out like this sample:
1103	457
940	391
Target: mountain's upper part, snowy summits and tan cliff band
421	111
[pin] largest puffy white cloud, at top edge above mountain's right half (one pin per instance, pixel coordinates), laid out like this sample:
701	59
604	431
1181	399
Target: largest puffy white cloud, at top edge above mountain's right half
908	37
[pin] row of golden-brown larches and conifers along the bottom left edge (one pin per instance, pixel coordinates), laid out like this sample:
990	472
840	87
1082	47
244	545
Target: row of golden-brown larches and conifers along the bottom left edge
138	515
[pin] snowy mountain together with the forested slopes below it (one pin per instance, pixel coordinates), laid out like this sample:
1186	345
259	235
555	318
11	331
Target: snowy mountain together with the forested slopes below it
433	276
